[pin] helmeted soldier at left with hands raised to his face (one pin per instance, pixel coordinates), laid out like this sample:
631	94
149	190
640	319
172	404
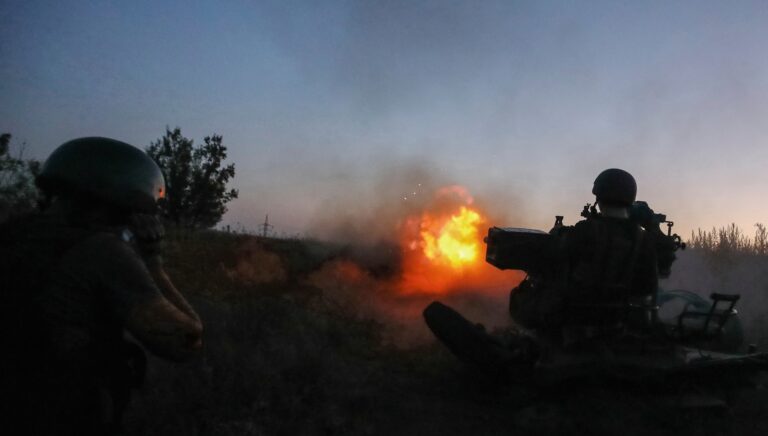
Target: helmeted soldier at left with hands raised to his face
76	278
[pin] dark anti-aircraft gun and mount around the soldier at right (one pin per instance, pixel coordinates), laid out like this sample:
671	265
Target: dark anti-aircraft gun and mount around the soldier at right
701	343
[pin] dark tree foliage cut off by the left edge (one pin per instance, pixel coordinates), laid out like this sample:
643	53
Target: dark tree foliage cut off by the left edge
18	194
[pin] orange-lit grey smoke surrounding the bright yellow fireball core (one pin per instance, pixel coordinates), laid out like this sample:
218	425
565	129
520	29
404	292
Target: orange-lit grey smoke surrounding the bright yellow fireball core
378	225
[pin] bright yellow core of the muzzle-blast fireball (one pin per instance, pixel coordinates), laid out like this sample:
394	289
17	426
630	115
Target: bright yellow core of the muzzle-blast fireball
454	240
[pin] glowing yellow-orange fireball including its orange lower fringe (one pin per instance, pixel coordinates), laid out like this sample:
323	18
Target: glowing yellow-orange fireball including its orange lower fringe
444	250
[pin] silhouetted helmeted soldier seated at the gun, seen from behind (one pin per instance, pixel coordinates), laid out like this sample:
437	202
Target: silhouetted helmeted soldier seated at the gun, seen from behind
603	273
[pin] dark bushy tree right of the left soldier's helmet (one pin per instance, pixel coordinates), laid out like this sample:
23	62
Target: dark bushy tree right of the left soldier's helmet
196	191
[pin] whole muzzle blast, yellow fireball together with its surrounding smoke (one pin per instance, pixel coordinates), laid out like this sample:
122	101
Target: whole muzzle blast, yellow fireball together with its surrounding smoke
426	233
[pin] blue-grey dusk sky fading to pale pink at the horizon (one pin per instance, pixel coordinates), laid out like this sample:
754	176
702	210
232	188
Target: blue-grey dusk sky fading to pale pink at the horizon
329	104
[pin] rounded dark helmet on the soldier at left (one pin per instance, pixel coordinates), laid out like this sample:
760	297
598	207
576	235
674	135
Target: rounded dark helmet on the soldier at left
109	170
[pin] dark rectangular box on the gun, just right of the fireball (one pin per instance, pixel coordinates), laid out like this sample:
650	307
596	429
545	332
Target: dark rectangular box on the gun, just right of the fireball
515	248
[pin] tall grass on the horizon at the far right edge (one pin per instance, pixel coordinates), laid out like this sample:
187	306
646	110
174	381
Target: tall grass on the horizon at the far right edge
731	239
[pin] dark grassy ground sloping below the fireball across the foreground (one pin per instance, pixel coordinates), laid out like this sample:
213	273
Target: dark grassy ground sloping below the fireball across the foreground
285	354
